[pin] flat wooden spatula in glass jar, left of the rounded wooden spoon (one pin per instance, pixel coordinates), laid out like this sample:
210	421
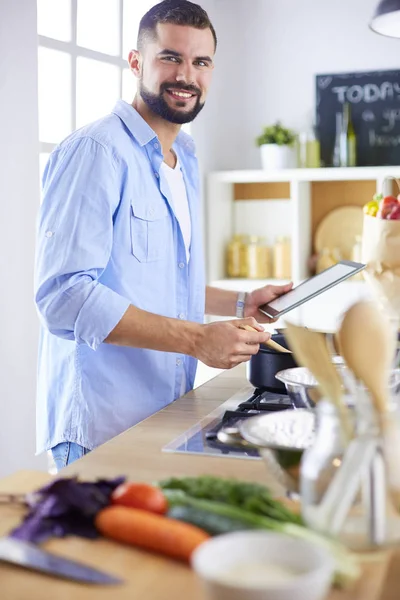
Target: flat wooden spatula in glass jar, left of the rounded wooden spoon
311	351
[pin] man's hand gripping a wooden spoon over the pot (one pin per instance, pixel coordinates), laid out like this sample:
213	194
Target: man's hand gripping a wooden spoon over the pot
225	344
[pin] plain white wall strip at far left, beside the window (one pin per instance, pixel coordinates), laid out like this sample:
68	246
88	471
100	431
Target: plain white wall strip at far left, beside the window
19	200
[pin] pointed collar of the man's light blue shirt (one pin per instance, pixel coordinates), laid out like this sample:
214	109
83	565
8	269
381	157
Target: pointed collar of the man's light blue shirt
142	132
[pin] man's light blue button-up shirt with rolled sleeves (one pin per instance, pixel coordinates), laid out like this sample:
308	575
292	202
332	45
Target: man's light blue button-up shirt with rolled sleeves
107	238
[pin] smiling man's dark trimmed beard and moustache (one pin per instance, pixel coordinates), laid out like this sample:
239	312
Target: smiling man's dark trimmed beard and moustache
159	106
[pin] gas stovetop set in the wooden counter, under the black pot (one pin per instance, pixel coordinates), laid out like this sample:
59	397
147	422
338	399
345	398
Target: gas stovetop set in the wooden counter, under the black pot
202	437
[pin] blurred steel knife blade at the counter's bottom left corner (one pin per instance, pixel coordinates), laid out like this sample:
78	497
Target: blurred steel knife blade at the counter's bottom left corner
28	555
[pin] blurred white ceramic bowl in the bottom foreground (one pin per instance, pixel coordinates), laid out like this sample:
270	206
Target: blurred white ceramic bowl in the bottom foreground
220	560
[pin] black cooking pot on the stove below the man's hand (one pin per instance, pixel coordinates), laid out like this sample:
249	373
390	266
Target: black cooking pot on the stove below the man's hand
263	366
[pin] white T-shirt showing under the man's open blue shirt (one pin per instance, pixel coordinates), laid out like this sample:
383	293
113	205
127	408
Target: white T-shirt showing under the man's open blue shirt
177	187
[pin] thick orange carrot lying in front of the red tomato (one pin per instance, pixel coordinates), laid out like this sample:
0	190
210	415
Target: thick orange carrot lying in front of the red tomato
150	531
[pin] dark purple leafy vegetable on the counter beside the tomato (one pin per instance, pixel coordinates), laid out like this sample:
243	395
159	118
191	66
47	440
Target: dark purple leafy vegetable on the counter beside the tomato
64	507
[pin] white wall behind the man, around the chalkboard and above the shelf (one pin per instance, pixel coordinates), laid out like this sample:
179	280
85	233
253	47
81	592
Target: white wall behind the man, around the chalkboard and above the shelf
268	56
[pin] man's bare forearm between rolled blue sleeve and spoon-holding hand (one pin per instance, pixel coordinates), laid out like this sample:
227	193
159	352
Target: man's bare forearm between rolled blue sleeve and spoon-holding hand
141	329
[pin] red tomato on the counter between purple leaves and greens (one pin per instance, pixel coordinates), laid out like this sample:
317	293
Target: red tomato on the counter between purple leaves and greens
140	495
